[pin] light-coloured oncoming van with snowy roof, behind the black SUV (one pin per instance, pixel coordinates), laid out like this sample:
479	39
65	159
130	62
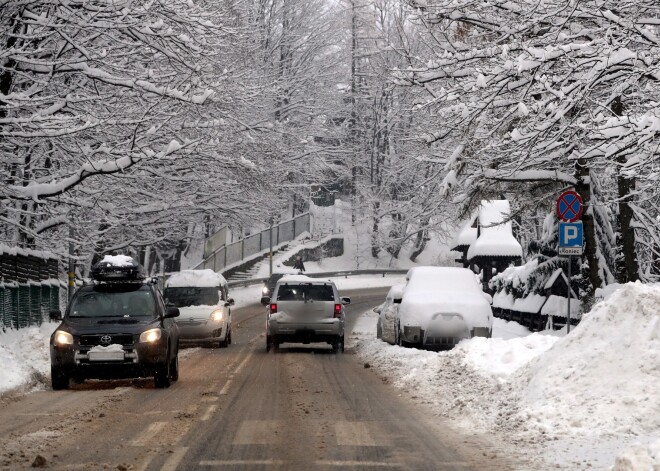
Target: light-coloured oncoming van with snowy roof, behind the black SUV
202	297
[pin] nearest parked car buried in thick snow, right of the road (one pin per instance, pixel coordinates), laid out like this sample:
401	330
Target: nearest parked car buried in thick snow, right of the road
442	306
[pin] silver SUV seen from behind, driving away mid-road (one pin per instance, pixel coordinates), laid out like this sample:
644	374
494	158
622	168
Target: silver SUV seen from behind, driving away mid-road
304	310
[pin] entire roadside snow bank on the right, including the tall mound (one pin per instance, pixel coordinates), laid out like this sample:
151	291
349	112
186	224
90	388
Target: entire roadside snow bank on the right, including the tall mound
571	402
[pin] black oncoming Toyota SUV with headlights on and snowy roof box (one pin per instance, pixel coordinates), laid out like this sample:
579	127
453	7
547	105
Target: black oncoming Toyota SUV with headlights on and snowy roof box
115	327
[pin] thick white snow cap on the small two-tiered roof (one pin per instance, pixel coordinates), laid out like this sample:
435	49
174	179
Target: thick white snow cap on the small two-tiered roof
496	236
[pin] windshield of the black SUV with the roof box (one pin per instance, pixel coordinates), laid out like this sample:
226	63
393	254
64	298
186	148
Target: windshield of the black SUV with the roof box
116	300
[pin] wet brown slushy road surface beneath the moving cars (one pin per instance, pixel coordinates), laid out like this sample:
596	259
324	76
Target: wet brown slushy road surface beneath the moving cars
241	408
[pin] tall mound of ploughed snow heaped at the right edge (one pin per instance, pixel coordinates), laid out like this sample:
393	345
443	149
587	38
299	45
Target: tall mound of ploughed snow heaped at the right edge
605	376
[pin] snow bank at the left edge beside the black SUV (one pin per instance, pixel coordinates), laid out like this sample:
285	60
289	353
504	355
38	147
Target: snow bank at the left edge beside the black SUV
25	357
